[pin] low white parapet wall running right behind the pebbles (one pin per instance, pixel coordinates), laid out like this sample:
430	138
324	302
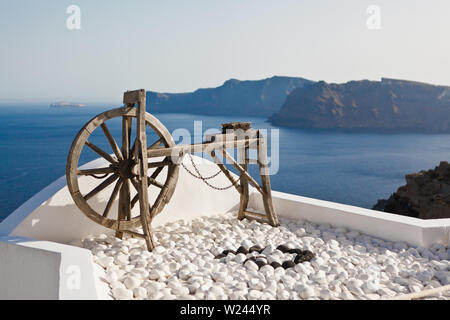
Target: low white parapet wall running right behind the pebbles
383	225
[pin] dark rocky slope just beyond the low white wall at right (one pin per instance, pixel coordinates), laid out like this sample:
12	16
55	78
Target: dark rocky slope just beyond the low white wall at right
426	195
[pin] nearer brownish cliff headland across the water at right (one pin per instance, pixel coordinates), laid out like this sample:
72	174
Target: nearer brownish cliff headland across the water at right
388	105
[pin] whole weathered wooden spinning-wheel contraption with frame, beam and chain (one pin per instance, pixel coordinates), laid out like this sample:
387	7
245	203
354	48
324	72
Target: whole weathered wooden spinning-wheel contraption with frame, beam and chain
129	166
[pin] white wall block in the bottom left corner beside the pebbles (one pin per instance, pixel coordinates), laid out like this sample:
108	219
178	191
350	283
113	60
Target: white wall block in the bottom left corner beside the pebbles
45	270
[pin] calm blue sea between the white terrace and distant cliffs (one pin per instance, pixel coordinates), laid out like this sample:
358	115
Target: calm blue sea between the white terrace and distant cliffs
349	168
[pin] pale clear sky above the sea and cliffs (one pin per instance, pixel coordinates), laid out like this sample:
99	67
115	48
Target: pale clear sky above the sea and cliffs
179	46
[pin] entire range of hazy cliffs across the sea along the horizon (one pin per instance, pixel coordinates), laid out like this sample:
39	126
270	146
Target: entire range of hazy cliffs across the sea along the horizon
386	105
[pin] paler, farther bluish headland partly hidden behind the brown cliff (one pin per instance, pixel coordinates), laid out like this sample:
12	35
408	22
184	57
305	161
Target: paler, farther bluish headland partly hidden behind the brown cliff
234	97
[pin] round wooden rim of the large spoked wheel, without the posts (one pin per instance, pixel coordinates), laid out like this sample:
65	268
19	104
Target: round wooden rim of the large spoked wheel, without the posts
72	169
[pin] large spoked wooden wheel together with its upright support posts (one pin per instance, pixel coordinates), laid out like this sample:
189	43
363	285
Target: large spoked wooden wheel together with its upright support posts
125	170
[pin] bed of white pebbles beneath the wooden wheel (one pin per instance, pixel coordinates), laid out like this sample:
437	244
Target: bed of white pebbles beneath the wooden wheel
346	264
